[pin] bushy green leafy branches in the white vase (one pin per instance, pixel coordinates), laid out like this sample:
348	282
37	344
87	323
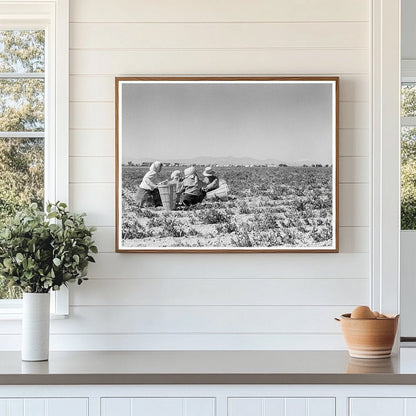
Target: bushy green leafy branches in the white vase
43	251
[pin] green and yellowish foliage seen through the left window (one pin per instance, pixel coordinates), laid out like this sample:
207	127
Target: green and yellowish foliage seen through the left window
21	110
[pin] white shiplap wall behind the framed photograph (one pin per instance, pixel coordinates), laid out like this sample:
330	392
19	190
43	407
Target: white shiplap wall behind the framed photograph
209	301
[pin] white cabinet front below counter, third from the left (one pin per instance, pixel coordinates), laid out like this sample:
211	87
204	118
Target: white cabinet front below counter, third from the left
281	406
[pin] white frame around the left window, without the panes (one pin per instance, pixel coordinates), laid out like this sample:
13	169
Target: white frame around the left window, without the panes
53	17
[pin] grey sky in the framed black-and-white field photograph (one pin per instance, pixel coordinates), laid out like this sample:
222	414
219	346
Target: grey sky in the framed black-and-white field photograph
290	123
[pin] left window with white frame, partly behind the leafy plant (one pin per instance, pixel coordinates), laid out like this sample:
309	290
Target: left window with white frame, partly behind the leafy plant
33	113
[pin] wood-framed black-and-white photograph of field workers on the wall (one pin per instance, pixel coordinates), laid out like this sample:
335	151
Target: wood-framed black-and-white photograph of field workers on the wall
226	164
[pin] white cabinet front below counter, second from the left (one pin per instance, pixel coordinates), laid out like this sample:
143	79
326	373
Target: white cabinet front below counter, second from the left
159	406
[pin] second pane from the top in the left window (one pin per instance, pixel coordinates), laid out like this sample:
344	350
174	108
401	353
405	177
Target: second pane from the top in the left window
22	105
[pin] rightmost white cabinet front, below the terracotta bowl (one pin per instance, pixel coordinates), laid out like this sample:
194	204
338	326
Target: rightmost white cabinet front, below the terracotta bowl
385	406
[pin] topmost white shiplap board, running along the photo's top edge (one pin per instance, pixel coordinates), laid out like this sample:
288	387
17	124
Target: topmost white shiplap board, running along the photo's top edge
218	11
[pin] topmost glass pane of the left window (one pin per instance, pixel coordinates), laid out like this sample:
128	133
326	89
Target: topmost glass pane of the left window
22	51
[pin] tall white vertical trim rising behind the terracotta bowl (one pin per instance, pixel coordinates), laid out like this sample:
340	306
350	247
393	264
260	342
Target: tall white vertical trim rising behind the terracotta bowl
385	151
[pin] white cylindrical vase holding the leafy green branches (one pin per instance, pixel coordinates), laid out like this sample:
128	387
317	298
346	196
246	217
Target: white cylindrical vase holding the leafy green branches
35	326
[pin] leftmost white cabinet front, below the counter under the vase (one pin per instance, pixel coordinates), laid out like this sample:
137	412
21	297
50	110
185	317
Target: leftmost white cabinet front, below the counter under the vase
44	407
